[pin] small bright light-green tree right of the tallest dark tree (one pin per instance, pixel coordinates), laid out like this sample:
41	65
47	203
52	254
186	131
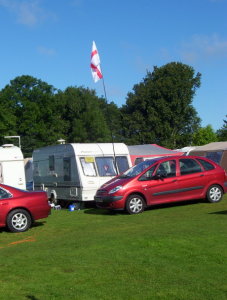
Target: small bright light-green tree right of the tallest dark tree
204	135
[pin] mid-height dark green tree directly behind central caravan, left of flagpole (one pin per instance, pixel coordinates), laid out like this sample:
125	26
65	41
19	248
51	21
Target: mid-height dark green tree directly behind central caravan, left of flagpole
83	116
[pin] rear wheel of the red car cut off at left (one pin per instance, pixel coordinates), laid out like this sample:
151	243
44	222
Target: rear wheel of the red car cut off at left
18	220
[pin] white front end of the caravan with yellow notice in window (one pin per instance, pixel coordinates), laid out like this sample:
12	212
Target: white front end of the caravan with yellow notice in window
96	165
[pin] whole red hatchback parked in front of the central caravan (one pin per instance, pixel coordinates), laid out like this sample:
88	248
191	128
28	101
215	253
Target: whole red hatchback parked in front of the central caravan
163	180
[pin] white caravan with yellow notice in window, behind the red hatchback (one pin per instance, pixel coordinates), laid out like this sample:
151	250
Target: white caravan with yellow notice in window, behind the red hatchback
75	171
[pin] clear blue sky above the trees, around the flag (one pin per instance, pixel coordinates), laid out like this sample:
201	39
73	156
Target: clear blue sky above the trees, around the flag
51	40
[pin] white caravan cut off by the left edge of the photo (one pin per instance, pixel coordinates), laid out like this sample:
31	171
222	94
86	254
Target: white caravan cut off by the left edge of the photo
12	166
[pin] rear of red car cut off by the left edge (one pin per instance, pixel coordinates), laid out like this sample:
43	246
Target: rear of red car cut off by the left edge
19	208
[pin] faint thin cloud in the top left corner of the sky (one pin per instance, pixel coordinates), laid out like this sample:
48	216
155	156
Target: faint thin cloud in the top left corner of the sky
27	12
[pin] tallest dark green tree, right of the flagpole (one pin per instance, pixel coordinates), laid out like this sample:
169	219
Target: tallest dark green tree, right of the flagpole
159	110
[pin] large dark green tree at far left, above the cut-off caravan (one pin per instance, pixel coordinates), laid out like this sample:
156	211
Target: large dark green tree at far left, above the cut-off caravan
35	115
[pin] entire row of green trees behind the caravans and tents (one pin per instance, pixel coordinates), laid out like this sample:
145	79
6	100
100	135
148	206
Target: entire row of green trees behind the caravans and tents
158	110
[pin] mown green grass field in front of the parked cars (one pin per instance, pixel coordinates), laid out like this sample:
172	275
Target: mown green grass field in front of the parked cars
167	252
